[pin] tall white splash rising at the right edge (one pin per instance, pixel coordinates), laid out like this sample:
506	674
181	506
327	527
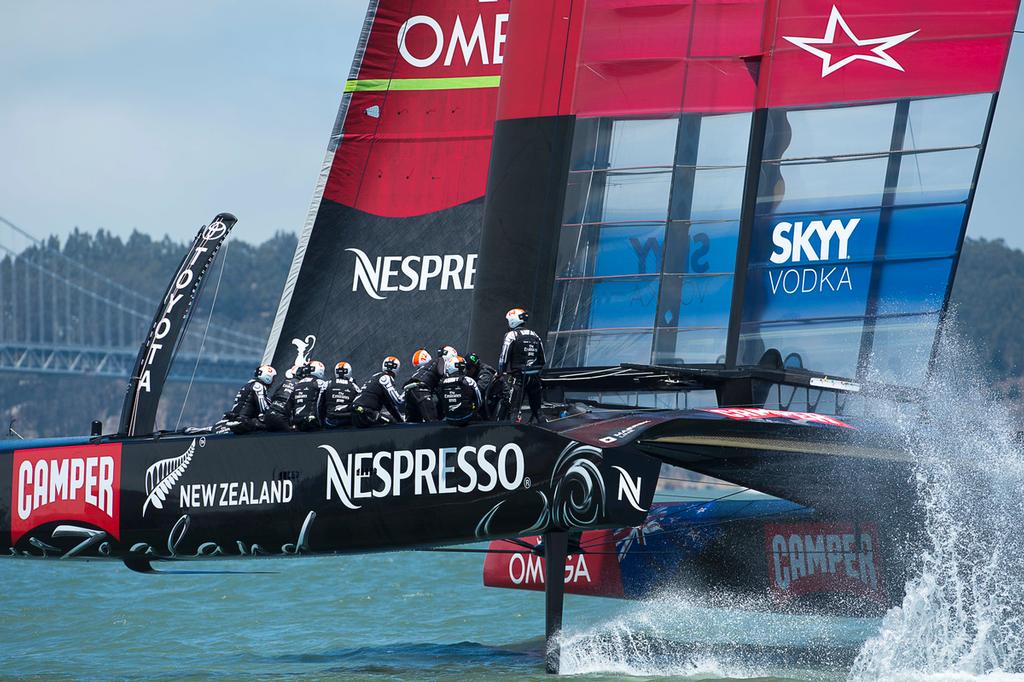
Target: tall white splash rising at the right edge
963	614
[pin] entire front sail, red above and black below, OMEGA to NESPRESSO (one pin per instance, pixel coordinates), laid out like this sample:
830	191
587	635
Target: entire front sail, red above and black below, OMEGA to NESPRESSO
388	261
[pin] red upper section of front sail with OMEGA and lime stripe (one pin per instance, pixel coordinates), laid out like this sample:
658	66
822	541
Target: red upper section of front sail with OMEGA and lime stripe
417	135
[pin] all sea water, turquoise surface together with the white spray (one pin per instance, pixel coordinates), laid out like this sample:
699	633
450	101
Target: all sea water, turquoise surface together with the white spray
413	616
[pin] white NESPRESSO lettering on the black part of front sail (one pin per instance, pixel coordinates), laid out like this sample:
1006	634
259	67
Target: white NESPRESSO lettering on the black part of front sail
385	275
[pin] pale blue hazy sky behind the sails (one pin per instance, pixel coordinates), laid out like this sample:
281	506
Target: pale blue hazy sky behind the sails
158	116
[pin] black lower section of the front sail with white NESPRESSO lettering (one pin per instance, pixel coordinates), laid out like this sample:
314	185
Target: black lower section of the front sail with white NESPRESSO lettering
354	316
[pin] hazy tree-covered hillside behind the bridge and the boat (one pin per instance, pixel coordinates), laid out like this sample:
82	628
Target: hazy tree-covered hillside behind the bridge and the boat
989	297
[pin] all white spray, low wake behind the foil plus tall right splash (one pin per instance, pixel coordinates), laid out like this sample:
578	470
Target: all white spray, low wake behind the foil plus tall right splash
963	615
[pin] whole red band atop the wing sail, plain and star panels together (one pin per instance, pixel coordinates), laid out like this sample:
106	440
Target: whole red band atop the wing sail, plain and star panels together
655	58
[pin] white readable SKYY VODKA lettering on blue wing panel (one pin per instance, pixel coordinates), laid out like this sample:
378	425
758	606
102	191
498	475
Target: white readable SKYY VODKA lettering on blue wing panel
798	243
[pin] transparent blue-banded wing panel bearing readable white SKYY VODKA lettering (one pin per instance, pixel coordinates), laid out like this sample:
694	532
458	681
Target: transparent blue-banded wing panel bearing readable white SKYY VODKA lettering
856	235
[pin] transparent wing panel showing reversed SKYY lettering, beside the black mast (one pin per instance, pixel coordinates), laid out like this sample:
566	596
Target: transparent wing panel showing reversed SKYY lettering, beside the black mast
648	251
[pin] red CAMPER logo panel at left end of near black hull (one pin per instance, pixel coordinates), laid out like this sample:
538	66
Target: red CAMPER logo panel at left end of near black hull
78	484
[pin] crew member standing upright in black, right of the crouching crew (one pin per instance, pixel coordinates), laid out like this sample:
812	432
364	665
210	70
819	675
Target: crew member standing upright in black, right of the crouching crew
521	363
